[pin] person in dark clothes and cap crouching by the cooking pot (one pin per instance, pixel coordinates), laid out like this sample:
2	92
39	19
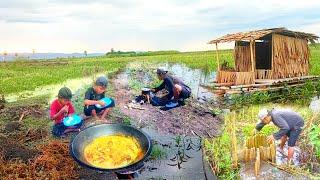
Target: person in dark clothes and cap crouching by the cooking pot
177	89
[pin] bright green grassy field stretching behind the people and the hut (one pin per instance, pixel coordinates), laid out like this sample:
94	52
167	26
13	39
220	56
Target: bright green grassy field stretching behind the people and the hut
19	76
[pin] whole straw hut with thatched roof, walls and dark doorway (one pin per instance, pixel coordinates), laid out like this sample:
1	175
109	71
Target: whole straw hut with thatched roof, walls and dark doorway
266	54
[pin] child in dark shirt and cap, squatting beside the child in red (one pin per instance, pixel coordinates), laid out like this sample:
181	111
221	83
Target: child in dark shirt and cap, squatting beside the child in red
93	98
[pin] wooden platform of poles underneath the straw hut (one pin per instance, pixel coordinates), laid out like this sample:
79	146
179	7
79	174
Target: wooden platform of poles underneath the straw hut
262	85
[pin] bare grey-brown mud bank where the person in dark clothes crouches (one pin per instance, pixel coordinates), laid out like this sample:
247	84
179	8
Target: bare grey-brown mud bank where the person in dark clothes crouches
191	119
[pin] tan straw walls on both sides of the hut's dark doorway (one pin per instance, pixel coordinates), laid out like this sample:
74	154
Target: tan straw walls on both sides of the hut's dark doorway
290	58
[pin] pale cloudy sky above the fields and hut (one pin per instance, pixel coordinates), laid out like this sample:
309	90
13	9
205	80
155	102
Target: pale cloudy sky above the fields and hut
68	26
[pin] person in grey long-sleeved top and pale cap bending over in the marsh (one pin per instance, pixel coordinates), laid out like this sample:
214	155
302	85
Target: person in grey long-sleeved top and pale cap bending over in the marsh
290	124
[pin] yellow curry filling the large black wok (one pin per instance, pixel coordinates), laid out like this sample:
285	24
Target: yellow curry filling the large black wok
113	151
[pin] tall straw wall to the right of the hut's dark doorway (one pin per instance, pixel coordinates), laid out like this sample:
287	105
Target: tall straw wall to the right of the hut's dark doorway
290	57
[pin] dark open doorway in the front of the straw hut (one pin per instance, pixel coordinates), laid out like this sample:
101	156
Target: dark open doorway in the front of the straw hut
263	54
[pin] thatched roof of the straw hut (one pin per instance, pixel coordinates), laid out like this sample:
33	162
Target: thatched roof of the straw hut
255	35
